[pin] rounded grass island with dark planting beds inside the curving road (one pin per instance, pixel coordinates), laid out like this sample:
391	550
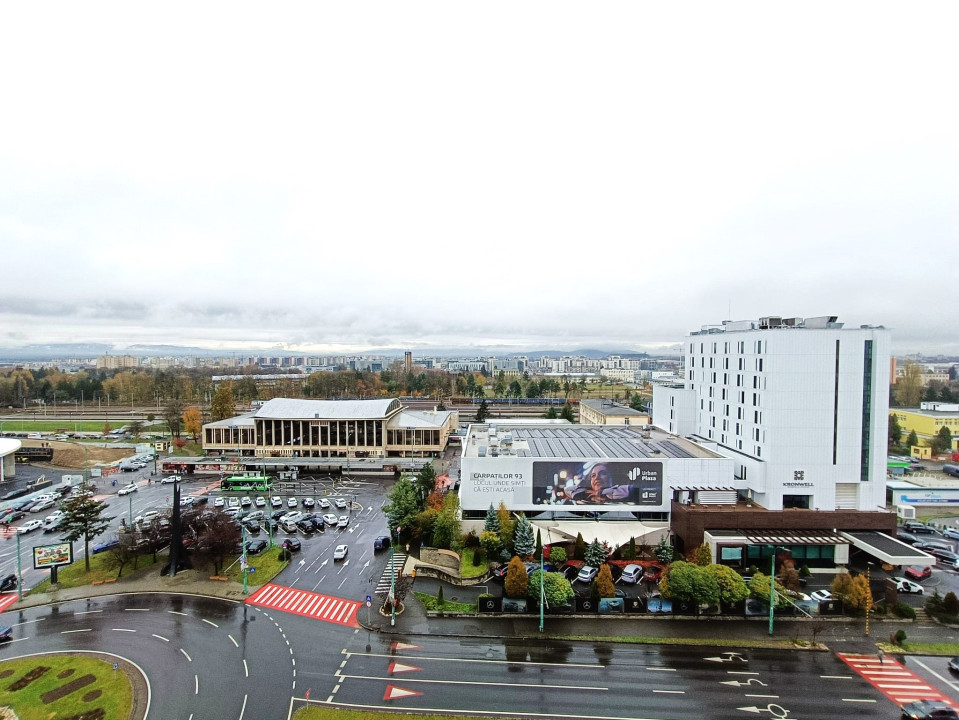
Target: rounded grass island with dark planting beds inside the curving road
94	685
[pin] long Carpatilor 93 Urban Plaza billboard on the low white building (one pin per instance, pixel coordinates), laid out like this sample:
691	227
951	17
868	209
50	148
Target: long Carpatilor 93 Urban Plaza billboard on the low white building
524	484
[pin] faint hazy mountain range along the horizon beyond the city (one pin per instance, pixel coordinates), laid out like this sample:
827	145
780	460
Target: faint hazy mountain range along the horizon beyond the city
86	351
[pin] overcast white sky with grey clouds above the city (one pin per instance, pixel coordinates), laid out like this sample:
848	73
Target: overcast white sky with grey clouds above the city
337	176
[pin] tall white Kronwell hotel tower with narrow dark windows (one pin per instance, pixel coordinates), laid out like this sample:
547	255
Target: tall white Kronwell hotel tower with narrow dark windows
800	405
